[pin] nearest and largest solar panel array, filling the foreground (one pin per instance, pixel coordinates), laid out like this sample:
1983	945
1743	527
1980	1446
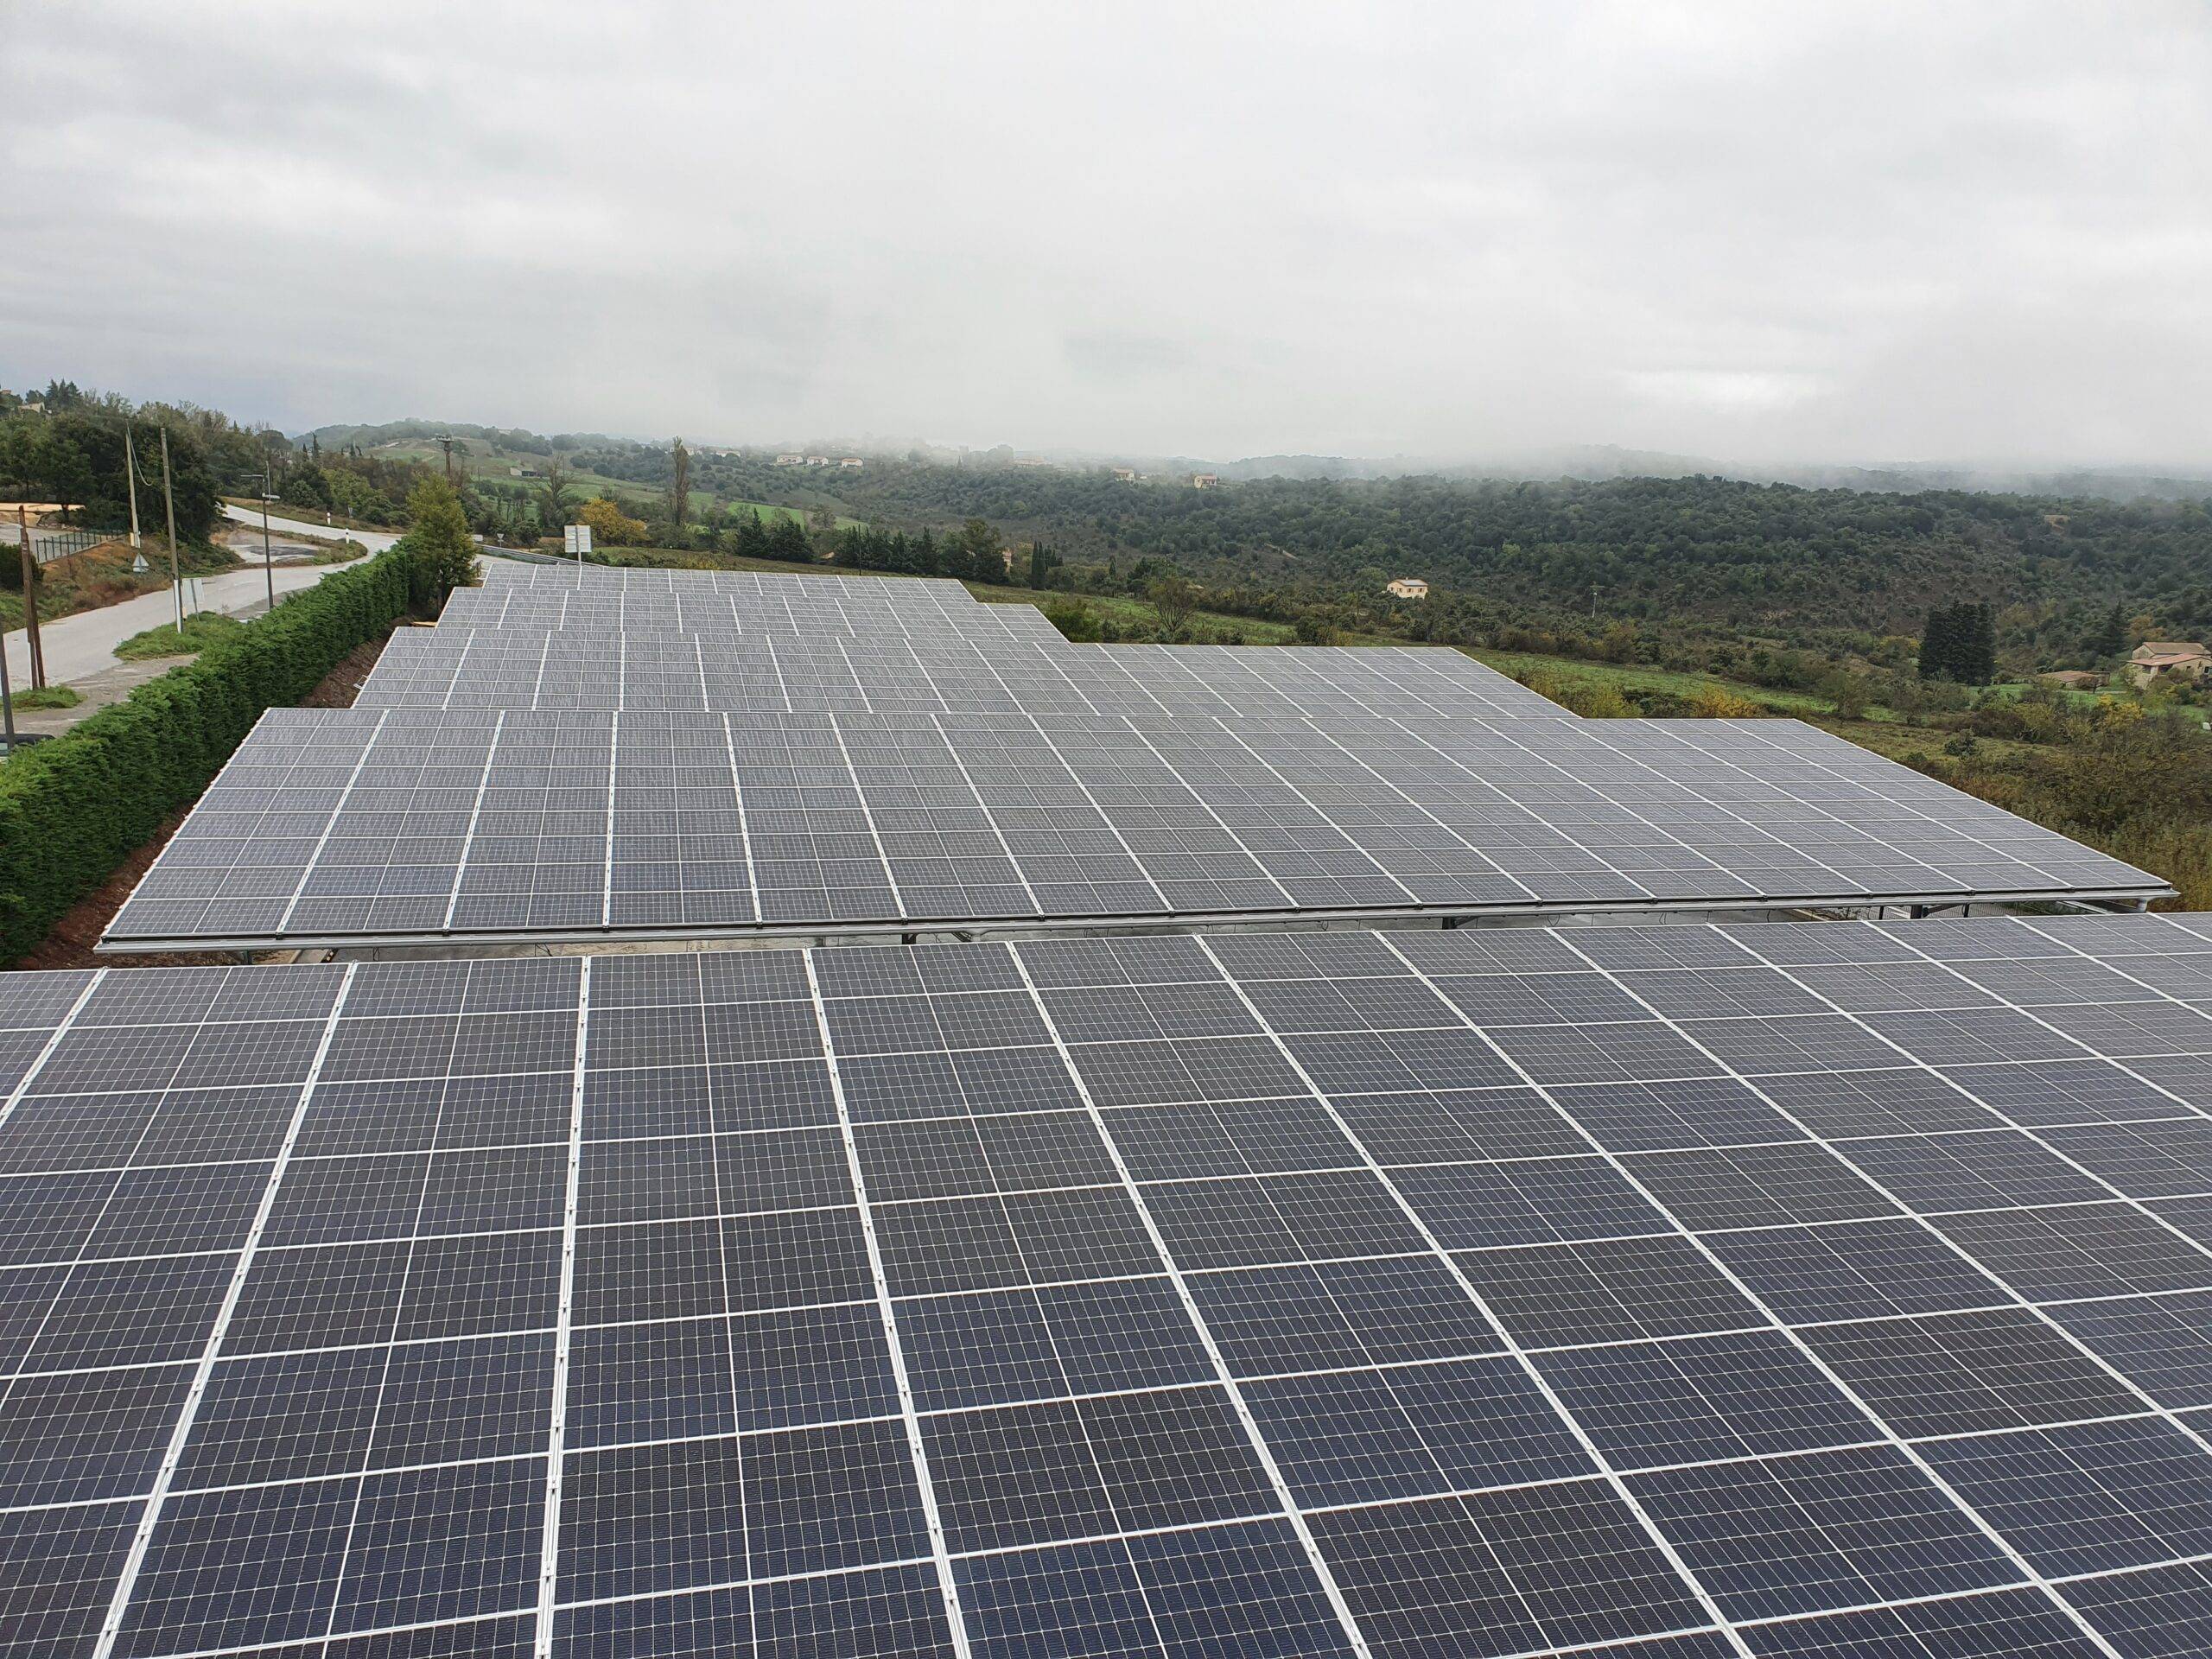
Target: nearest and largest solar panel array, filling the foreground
1662	1293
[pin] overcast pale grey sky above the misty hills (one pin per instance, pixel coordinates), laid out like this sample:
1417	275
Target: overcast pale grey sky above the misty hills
1799	231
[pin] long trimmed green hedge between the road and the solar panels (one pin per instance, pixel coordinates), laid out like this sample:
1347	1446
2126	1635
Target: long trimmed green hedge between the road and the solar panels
72	811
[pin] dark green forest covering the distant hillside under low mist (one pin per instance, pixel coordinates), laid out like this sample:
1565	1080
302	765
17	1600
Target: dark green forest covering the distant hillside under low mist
1811	567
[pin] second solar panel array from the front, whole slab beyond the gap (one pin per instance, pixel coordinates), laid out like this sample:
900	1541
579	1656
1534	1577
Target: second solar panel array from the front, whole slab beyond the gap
342	826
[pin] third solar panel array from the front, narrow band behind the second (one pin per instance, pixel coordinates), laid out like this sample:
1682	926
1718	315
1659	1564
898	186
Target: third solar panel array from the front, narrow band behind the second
970	671
